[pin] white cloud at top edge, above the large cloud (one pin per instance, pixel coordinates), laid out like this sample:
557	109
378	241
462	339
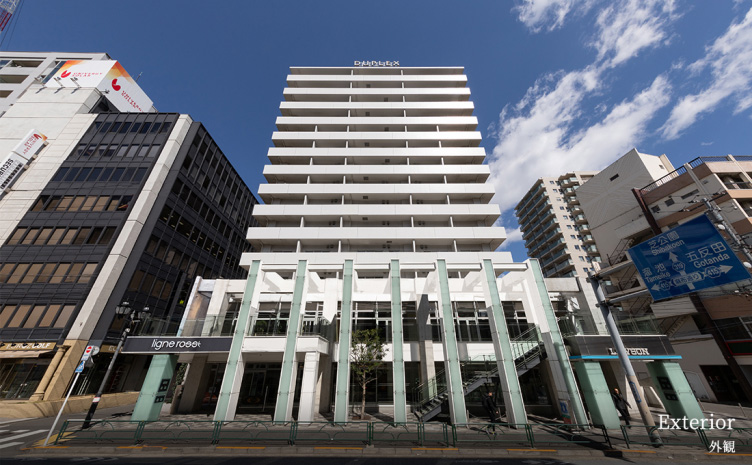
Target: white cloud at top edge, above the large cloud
626	28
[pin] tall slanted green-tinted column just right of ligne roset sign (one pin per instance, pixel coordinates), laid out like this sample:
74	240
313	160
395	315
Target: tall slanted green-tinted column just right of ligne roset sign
228	392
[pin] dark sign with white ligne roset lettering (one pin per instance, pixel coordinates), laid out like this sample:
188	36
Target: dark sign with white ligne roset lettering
175	345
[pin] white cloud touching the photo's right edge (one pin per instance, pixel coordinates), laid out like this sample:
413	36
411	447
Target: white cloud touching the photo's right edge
730	61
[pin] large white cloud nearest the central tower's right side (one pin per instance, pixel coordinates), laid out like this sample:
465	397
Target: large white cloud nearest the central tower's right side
544	142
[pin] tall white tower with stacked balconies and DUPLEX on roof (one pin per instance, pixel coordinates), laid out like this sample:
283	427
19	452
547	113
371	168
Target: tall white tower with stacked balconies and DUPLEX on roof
377	216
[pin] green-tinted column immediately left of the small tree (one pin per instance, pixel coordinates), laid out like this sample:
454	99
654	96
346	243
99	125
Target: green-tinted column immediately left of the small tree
341	397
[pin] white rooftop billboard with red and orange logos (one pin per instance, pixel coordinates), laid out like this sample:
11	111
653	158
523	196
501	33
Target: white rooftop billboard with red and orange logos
109	77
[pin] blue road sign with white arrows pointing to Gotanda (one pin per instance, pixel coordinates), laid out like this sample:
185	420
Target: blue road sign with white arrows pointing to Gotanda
691	257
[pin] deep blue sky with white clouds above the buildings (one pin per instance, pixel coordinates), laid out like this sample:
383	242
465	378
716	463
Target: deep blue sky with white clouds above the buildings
558	85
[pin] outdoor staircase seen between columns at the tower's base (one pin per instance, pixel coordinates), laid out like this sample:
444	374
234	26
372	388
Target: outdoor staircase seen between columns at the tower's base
527	350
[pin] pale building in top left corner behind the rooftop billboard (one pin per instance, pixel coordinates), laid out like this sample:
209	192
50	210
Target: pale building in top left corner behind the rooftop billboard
19	70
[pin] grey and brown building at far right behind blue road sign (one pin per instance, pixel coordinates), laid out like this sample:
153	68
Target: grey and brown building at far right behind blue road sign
640	196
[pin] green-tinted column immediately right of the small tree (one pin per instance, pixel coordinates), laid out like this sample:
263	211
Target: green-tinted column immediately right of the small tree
398	362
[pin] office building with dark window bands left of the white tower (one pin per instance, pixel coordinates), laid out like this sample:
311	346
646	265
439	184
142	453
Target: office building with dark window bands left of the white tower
116	207
